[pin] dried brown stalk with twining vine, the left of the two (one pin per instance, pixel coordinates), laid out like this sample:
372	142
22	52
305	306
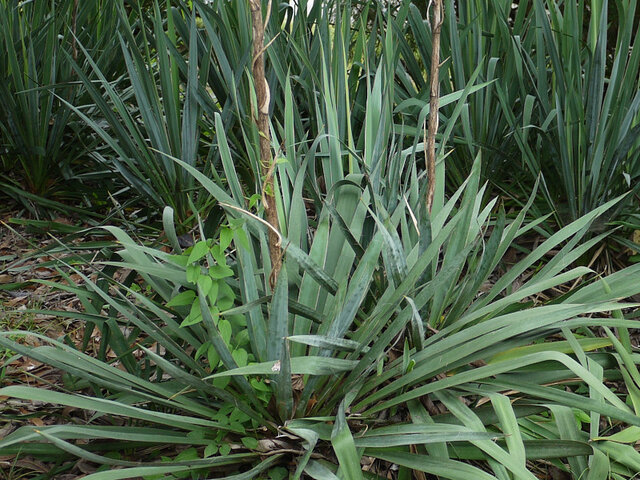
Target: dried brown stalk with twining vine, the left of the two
266	158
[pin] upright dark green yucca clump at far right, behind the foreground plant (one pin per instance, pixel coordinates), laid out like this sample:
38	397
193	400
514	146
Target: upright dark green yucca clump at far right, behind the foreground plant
585	104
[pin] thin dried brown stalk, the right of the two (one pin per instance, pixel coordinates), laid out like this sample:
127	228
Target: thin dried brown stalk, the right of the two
437	18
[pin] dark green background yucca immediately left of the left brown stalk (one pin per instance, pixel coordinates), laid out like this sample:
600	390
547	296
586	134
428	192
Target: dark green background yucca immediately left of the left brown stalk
185	63
